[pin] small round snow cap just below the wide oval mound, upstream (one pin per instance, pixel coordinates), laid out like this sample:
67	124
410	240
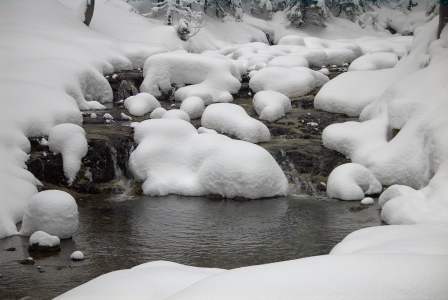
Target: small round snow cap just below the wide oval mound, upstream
271	105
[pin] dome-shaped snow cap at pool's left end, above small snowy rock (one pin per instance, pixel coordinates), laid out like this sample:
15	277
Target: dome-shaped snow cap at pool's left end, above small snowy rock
52	211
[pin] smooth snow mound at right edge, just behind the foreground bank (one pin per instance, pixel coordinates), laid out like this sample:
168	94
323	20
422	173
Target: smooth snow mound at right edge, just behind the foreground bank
396	239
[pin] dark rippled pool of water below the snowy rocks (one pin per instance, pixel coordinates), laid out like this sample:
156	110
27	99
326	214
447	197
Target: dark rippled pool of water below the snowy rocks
195	231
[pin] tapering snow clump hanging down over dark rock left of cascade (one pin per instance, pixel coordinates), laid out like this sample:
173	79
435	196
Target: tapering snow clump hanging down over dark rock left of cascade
69	140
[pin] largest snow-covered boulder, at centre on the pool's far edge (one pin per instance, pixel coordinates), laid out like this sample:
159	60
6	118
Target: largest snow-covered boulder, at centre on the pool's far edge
173	158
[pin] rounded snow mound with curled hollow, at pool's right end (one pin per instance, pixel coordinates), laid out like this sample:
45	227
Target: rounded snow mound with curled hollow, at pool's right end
352	182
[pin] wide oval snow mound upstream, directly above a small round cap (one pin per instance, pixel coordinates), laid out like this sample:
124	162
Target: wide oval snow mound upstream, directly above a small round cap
292	82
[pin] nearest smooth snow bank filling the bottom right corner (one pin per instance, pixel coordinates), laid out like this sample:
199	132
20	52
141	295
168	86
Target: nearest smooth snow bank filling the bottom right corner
340	277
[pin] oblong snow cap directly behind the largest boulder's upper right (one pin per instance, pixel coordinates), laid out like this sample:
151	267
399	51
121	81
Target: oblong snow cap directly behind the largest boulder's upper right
233	120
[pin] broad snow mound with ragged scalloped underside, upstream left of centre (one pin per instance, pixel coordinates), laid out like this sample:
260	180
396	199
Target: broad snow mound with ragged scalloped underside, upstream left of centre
210	78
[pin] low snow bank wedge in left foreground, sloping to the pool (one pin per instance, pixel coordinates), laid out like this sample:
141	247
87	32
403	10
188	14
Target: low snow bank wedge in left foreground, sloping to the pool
156	281
